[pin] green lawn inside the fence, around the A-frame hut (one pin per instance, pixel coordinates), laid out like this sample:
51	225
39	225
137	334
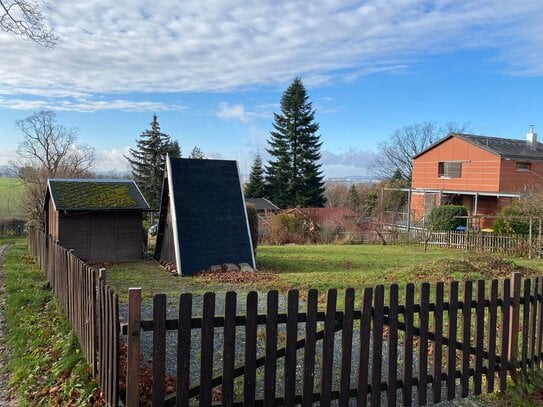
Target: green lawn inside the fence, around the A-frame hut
326	266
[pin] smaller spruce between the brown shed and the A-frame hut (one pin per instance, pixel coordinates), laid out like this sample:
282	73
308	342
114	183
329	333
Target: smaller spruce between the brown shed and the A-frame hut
147	161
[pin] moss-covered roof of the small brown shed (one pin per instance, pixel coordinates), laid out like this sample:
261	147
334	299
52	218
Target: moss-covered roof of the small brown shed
95	194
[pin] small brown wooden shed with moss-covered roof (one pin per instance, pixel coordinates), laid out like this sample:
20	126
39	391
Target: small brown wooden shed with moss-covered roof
99	219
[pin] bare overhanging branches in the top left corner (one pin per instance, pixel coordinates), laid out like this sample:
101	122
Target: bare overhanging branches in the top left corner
25	19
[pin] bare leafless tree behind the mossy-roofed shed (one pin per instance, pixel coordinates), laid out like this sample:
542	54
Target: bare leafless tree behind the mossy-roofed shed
48	150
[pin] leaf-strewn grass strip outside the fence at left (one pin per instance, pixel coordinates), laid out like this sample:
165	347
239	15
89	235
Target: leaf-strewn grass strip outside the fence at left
45	363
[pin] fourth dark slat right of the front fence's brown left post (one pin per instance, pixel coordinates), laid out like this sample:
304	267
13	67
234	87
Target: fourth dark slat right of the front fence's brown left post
229	348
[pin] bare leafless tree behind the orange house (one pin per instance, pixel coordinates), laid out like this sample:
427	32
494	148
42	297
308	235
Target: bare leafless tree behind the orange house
396	153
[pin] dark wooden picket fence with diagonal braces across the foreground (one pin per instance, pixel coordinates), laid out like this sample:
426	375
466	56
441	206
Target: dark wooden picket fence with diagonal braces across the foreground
421	349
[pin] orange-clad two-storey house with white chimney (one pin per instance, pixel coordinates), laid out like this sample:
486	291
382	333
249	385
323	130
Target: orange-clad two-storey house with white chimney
482	173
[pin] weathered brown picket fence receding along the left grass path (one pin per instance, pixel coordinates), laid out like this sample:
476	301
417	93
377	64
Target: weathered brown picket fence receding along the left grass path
90	305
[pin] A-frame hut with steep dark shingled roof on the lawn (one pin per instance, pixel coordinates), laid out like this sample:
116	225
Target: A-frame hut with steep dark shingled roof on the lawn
203	221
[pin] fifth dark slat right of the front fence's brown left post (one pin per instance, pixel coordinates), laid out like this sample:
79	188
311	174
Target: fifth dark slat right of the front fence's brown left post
249	383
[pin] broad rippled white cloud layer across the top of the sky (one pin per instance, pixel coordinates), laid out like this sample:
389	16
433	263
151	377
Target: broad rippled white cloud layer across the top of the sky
164	46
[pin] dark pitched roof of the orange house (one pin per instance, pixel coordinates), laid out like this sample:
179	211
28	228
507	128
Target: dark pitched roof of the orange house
512	149
